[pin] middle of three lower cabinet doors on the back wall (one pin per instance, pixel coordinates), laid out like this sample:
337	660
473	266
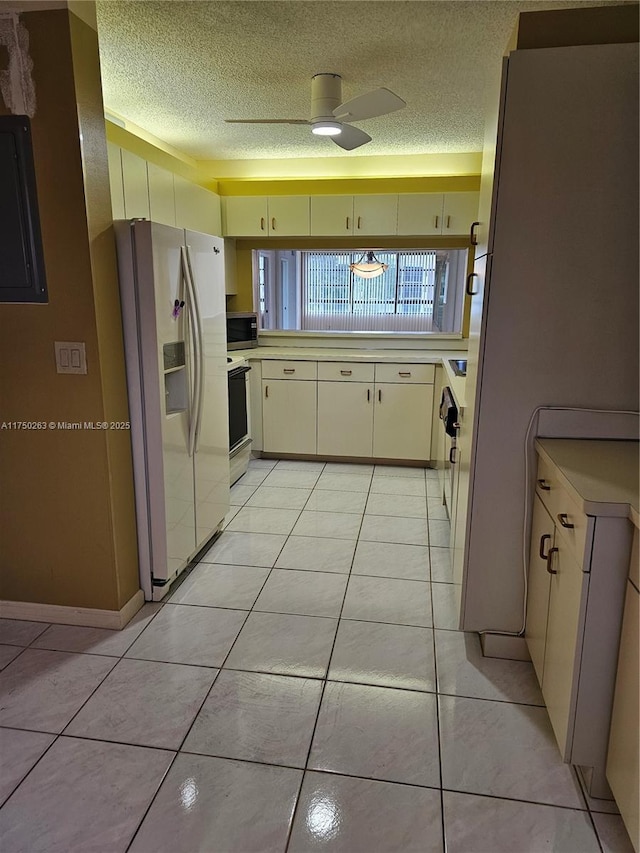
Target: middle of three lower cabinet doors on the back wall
345	418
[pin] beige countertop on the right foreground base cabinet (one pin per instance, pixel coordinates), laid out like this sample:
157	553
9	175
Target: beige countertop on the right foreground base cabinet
601	476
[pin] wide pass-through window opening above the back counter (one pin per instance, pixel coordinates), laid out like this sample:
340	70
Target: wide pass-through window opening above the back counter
421	291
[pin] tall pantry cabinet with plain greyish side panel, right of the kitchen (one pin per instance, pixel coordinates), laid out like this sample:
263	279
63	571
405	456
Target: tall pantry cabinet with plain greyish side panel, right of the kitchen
554	308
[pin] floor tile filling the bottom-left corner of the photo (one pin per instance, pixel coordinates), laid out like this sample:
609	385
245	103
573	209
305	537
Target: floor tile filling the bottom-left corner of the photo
83	795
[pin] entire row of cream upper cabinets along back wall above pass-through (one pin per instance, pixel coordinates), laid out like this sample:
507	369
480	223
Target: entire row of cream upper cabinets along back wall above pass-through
407	214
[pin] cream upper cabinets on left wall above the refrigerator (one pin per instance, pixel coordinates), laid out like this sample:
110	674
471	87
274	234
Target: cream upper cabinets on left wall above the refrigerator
142	190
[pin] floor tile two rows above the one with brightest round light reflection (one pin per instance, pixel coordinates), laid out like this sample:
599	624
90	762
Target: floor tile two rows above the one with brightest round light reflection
384	655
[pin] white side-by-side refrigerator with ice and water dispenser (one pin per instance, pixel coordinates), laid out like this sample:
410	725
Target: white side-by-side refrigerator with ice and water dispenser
173	308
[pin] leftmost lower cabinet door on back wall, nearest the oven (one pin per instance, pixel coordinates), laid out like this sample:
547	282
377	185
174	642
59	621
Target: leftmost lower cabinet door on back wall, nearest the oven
289	415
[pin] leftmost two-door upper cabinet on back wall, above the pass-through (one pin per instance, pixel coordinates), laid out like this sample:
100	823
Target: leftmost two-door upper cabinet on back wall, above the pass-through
261	216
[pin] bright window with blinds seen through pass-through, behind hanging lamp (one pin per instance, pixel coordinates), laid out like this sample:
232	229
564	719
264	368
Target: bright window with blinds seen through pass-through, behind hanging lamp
401	299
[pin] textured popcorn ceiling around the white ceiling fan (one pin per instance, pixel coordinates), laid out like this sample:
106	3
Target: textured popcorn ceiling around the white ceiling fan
178	69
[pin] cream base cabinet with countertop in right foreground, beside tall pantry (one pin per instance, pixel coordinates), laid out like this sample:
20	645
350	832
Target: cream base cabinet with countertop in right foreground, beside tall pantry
580	550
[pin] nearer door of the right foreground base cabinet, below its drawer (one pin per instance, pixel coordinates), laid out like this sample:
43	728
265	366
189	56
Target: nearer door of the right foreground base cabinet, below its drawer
562	651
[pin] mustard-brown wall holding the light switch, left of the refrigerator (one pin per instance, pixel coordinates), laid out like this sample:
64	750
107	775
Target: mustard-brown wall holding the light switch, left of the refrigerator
67	510
